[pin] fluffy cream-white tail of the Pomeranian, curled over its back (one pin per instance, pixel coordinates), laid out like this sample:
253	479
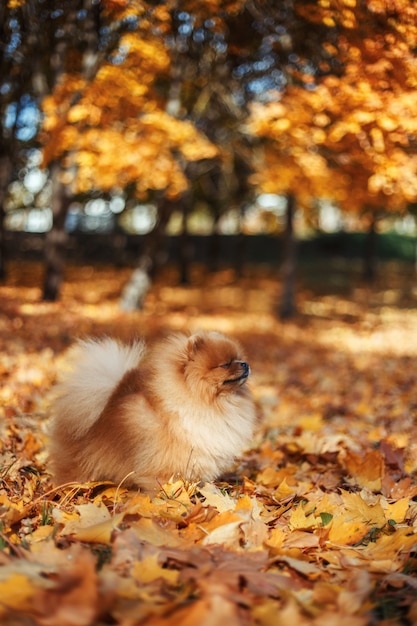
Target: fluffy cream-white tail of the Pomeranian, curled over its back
96	368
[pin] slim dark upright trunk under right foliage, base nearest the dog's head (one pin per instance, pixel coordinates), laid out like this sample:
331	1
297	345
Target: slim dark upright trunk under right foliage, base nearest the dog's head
287	306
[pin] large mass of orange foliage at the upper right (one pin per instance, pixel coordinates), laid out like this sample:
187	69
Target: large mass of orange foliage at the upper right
348	135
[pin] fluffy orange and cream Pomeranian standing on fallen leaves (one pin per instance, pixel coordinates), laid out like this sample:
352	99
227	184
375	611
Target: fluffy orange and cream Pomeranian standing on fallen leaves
126	413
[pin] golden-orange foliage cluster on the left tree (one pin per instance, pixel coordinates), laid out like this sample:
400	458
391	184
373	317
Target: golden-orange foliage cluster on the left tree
118	132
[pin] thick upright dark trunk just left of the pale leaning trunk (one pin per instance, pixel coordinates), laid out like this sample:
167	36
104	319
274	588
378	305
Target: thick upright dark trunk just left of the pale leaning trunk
56	239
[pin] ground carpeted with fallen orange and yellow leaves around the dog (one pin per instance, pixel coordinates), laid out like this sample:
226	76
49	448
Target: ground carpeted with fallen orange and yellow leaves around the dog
317	524
